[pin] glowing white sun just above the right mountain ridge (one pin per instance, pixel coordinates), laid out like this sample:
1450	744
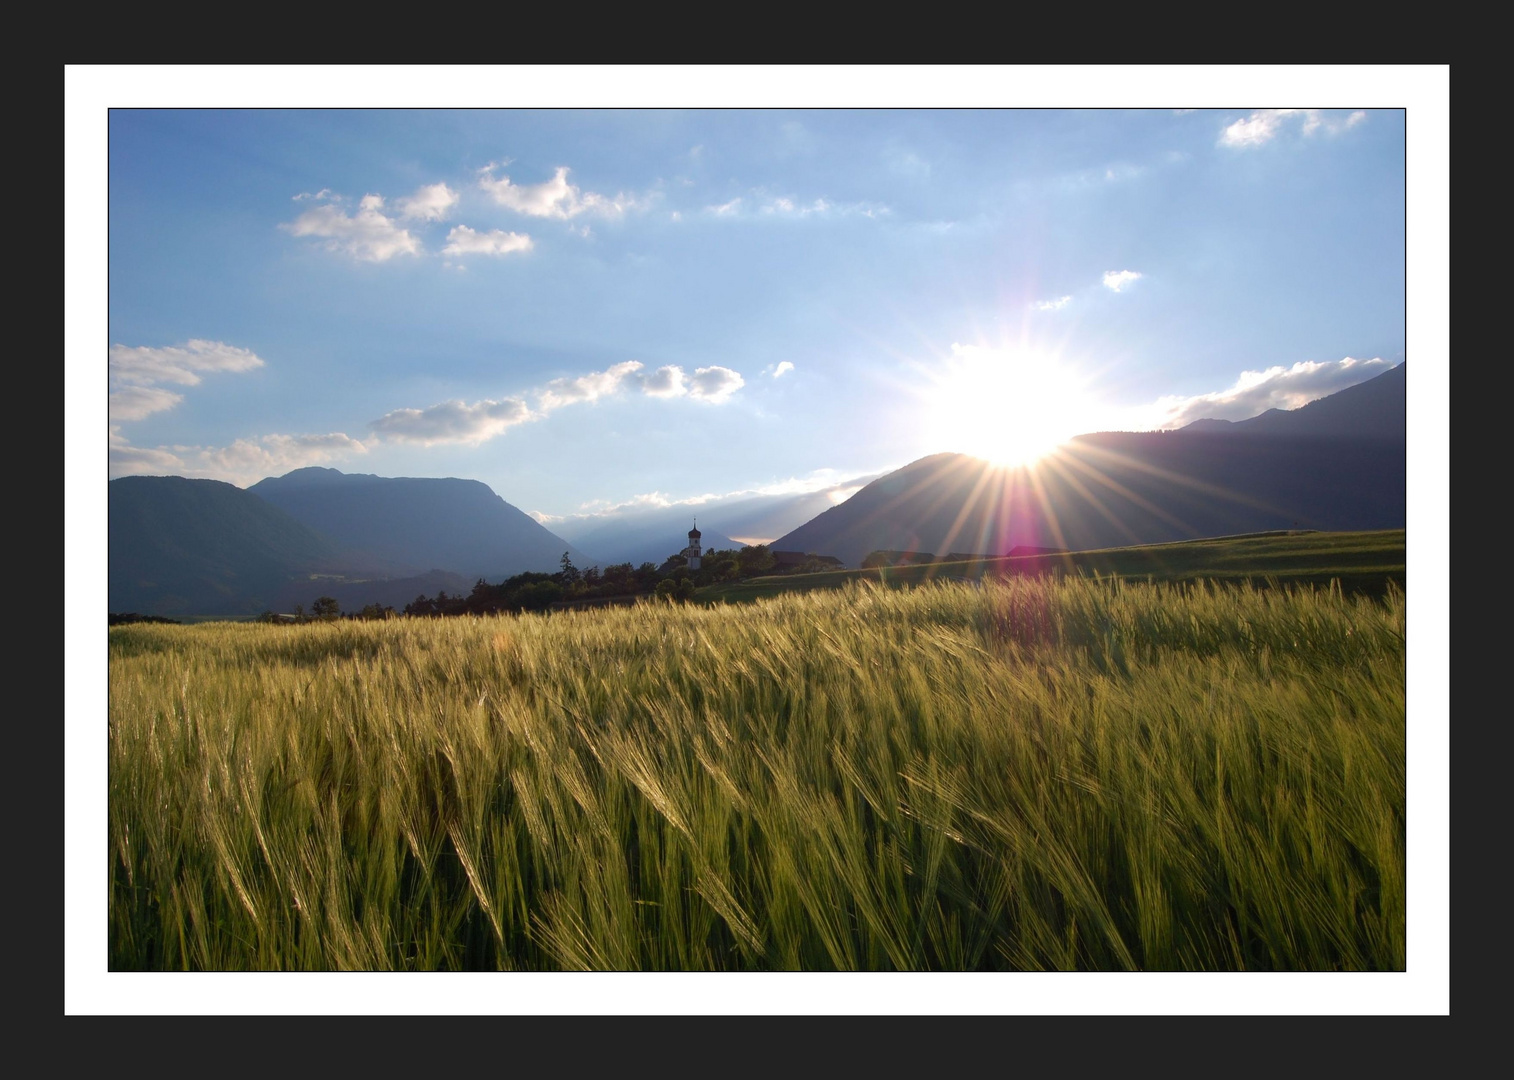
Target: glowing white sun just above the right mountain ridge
1009	407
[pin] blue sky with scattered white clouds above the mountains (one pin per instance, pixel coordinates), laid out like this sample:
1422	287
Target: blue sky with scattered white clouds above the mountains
594	308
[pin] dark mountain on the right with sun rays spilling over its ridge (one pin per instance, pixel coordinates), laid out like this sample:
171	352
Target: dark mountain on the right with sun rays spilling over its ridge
1327	466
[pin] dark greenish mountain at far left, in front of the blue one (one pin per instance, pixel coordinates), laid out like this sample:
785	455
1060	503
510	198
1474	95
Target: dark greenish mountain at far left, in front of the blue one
204	548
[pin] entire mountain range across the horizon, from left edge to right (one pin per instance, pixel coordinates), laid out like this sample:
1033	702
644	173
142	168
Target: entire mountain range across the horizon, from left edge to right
185	548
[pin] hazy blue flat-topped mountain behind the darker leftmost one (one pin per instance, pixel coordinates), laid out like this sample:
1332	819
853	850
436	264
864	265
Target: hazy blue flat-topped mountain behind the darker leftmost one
452	525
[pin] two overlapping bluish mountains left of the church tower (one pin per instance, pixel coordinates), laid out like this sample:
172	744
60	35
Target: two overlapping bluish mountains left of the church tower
185	548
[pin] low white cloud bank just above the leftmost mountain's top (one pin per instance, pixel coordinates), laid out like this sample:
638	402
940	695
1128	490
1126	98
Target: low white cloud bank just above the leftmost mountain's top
243	463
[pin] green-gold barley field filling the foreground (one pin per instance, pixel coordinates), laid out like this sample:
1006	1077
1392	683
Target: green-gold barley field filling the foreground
1020	775
